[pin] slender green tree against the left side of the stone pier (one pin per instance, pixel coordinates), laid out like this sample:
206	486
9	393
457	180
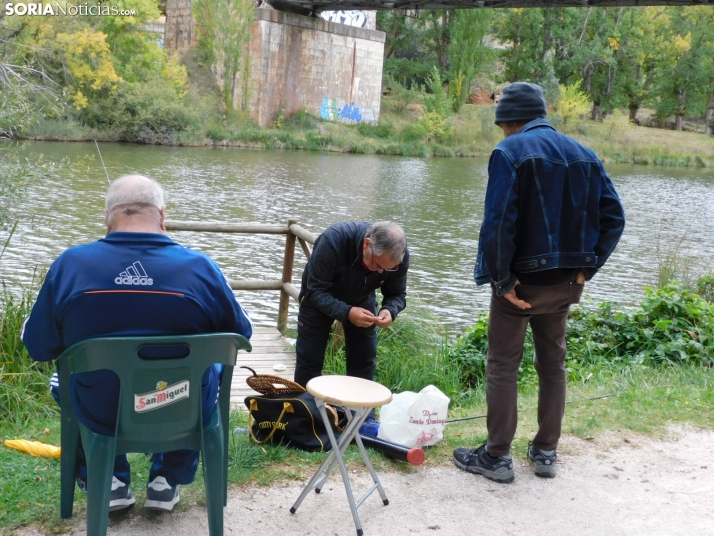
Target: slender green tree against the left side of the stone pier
224	33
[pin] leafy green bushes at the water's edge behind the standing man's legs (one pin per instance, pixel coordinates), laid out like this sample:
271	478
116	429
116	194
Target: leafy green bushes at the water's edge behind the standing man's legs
671	326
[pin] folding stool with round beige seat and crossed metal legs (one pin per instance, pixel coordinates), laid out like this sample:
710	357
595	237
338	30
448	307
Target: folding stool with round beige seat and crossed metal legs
358	396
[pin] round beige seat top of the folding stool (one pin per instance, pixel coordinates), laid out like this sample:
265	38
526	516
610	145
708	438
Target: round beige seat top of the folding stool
349	391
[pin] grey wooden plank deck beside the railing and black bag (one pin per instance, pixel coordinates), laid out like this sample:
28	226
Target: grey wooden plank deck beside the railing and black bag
270	348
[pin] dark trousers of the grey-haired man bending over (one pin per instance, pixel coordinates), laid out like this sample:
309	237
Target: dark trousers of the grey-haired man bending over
313	334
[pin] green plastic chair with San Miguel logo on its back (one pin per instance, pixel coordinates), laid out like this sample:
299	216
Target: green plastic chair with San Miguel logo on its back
159	411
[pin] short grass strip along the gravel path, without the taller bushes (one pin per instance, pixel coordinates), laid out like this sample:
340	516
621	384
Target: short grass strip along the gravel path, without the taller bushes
647	401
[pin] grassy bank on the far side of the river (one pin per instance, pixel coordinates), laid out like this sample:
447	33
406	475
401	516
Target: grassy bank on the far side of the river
400	131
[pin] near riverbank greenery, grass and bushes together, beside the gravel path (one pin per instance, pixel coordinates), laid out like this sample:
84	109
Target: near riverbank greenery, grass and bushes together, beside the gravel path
634	371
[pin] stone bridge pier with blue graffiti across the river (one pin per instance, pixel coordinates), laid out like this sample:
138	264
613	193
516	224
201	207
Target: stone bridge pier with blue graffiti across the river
296	62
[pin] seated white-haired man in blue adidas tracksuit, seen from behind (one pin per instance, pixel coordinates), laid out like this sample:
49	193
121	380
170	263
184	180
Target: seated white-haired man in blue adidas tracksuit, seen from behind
134	281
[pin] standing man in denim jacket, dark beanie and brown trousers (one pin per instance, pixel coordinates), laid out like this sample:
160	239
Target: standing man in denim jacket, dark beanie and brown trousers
551	219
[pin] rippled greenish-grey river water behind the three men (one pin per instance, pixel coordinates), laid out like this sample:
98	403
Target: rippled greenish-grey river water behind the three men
438	201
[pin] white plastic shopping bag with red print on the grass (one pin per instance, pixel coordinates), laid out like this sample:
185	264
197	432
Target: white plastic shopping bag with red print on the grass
414	419
